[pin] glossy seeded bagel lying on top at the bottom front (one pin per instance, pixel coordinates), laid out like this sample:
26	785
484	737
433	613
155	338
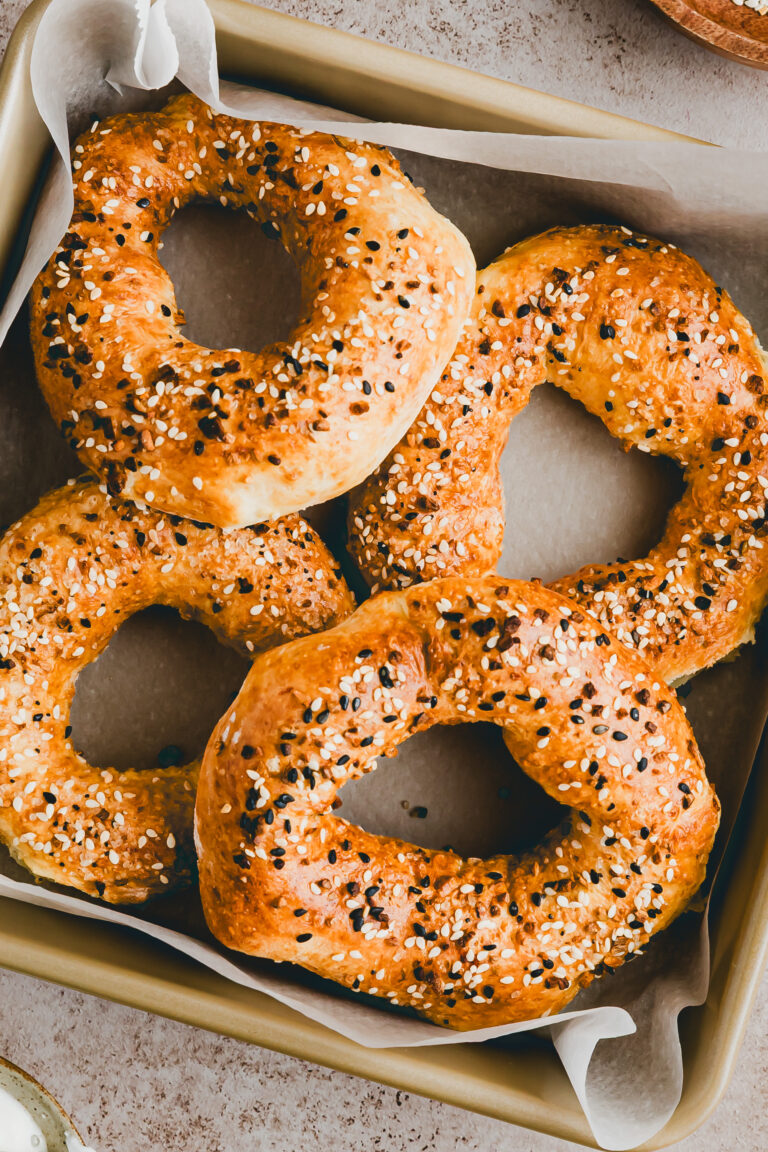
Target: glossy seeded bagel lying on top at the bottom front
466	943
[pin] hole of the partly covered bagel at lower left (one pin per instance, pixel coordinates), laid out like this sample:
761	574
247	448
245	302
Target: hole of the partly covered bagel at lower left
156	694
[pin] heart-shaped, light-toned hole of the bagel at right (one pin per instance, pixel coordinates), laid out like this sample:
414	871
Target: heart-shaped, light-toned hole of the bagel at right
574	497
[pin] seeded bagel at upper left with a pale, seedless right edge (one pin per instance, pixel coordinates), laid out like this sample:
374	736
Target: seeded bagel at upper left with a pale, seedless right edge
227	436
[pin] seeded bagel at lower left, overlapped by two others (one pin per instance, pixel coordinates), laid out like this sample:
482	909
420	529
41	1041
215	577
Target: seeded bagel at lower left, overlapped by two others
72	572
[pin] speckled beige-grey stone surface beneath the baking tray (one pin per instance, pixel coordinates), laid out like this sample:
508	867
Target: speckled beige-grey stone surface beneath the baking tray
136	1083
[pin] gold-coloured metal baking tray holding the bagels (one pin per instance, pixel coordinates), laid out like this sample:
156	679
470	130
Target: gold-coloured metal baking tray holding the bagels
523	1083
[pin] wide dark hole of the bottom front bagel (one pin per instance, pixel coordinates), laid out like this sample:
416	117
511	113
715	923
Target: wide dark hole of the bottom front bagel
453	787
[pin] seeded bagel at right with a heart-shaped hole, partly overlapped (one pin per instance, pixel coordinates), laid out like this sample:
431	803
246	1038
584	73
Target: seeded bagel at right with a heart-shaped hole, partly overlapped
644	338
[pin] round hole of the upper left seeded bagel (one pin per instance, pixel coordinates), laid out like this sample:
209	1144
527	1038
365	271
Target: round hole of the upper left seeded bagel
248	309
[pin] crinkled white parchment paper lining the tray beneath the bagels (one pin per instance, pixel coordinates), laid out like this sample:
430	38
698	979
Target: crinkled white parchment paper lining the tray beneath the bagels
573	497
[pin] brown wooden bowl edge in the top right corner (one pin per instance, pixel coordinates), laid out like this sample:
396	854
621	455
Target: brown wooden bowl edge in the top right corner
731	29
